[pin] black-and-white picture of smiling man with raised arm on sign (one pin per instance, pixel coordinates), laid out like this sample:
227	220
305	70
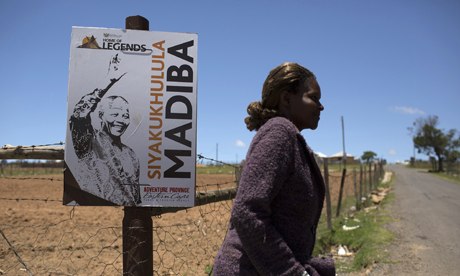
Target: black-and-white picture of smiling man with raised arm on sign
109	169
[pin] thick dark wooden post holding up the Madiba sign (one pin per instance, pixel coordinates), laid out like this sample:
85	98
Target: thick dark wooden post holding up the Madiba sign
137	221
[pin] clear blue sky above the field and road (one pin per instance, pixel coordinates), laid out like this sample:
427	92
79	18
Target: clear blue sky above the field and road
380	64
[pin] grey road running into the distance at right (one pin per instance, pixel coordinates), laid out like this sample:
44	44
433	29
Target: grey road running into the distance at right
427	225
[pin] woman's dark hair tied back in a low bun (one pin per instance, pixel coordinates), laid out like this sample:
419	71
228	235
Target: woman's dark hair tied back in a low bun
285	77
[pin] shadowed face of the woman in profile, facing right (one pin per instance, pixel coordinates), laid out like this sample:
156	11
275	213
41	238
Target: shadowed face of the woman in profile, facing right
305	106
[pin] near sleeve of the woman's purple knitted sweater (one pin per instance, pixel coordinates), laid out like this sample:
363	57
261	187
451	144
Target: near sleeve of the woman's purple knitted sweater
268	167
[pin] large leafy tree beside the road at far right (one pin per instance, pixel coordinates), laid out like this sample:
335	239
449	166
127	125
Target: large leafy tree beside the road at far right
431	140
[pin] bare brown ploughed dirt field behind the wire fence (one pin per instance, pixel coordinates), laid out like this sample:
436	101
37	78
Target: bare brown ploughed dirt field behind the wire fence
39	236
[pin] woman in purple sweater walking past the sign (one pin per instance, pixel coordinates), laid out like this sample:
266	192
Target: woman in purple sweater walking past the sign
281	191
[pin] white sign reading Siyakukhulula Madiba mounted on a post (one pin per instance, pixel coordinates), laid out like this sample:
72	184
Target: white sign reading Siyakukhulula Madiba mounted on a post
131	120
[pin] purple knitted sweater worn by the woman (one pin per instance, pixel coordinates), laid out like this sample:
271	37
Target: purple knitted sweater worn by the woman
276	209
